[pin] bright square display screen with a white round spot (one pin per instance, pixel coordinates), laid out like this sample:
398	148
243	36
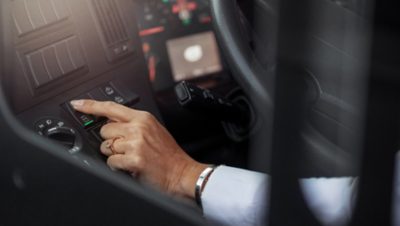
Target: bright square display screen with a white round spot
194	56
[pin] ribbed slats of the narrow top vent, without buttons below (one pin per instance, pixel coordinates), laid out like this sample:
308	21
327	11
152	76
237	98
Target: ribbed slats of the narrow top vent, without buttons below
110	21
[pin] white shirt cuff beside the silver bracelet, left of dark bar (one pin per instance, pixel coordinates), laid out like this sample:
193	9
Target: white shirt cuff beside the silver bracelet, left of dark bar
235	196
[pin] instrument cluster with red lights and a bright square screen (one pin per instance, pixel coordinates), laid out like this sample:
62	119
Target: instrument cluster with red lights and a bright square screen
178	41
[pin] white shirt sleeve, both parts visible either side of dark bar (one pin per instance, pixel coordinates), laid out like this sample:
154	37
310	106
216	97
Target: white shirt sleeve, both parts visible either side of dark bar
235	196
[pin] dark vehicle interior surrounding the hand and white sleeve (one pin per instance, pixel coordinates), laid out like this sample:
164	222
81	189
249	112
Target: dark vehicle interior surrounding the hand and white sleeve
278	87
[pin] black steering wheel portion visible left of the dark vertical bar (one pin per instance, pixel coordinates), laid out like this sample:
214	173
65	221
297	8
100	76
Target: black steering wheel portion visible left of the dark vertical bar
240	38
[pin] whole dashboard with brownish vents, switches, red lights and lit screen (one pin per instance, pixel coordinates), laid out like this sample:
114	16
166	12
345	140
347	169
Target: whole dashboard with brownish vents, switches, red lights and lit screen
127	51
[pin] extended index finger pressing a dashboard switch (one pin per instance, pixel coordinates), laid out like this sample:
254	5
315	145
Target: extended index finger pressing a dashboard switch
111	110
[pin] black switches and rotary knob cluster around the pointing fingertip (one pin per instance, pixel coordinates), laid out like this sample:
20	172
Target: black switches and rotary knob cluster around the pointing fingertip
69	131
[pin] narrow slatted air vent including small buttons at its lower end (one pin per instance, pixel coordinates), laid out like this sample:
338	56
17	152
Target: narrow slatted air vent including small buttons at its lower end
111	26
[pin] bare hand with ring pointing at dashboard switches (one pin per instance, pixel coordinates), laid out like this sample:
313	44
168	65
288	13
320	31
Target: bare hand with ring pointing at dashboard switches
137	143
